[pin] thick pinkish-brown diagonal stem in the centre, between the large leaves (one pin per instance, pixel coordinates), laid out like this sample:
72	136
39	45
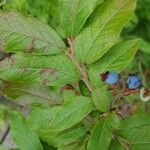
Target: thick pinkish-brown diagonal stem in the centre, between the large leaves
81	68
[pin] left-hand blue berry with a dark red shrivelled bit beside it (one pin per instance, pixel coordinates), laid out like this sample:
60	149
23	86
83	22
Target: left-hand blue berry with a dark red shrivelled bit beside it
112	78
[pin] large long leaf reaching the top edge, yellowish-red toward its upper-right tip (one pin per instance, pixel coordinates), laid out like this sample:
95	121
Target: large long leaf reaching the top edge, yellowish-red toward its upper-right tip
103	30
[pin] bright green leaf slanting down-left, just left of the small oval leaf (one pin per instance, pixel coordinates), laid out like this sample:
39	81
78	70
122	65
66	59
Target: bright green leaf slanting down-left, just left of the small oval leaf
71	113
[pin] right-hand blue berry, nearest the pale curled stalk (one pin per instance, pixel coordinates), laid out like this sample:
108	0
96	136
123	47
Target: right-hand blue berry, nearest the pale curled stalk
133	82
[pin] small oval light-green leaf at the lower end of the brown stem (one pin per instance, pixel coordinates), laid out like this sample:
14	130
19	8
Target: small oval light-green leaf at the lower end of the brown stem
101	99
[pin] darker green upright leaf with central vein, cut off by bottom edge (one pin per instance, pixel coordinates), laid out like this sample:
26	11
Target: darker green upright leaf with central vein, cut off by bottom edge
101	134
